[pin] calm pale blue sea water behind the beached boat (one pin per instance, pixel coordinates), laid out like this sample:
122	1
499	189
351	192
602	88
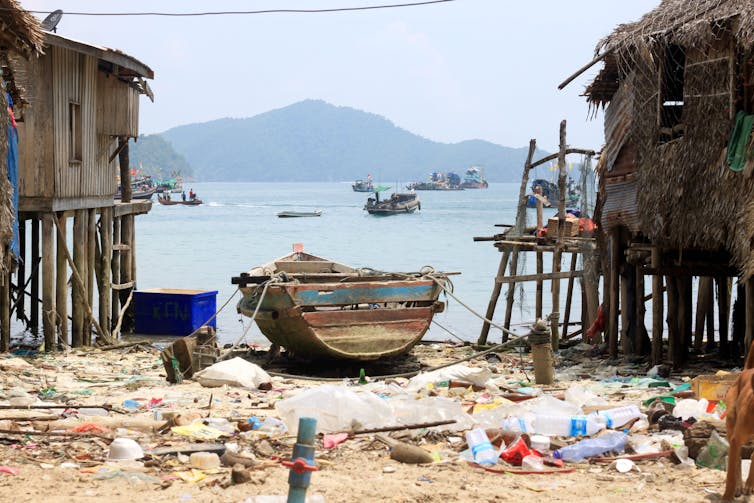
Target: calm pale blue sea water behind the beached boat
202	247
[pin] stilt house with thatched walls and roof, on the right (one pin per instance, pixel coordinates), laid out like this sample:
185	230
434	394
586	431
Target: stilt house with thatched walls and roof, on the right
676	176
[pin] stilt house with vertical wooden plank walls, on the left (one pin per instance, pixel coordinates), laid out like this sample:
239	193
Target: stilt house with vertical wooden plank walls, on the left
81	108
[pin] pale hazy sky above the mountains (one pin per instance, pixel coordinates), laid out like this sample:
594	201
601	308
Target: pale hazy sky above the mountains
486	69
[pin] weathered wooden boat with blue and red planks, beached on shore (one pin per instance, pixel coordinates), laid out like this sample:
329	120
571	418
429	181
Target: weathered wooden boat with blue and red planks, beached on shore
317	308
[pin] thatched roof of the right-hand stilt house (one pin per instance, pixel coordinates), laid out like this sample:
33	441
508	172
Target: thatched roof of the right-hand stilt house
693	24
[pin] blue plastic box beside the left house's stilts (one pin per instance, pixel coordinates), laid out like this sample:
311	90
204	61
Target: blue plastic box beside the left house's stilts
173	311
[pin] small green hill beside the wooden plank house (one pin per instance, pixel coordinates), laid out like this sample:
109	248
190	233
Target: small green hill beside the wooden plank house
156	157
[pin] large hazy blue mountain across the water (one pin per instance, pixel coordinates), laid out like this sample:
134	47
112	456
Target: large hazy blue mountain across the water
315	141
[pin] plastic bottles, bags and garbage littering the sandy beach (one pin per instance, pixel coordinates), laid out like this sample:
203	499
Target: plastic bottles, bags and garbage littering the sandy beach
232	422
